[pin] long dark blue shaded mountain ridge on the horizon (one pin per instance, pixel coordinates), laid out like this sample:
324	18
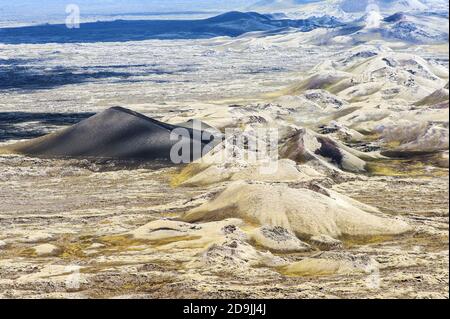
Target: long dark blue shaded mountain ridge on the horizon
231	24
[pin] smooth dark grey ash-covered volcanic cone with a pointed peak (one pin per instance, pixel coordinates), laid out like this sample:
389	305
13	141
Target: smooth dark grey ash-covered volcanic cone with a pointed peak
116	133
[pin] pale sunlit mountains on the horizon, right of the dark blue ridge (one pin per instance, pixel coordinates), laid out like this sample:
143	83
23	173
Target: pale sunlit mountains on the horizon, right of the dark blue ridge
409	28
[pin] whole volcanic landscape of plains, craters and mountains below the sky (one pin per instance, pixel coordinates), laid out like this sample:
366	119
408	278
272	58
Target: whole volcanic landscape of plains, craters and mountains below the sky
90	206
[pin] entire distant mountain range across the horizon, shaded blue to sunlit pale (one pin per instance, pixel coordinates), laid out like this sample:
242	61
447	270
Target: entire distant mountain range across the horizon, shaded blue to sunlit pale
412	27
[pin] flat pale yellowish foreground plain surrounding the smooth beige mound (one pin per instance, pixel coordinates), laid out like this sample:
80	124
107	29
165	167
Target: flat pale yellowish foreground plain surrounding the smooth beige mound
72	205
